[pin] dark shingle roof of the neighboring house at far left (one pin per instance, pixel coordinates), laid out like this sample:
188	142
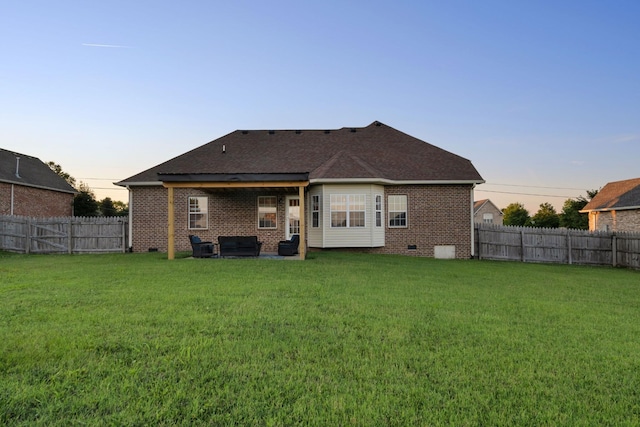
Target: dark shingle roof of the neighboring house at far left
16	168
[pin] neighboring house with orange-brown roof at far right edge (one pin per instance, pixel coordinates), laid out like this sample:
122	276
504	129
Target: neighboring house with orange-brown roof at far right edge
616	207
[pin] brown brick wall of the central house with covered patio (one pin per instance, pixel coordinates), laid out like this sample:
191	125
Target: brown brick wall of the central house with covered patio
438	215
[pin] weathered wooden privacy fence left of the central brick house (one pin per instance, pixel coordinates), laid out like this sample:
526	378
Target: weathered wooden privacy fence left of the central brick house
71	235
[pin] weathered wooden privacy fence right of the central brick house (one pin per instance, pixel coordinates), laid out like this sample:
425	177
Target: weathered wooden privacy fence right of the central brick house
557	245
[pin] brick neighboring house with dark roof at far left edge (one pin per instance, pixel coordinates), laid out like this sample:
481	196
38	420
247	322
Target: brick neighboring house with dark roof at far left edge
29	187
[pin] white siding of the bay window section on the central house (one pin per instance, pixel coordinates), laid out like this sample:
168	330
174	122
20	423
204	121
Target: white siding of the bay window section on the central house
326	236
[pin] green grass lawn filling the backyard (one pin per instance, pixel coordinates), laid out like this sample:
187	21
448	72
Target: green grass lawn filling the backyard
339	339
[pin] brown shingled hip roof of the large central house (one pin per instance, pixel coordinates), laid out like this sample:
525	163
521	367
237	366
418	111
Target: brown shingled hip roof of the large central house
373	153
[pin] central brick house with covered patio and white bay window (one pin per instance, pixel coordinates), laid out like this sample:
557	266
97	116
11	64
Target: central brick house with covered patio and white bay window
374	189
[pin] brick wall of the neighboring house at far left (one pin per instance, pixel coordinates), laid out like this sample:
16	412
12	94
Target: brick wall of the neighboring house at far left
35	202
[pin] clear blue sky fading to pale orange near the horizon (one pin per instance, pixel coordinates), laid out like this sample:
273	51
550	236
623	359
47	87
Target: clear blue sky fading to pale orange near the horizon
542	96
